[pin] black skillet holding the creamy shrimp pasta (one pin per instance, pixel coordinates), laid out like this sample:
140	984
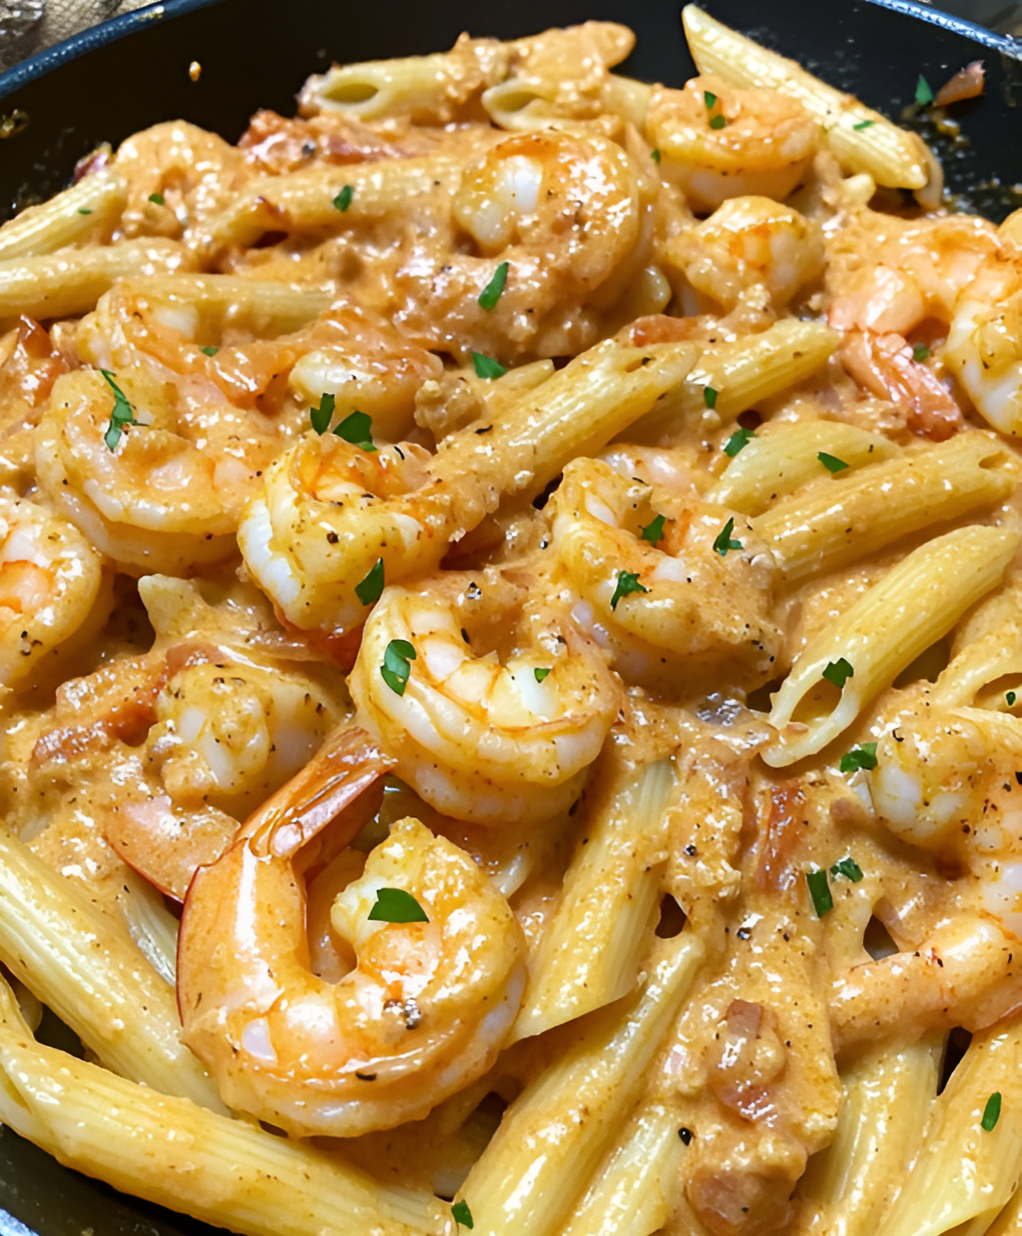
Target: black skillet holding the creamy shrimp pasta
256	54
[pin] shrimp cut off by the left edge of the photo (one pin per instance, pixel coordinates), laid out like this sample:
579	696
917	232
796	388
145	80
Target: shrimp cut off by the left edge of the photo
54	594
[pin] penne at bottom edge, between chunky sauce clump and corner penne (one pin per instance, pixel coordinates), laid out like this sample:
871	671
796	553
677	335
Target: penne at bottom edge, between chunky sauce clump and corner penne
851	1185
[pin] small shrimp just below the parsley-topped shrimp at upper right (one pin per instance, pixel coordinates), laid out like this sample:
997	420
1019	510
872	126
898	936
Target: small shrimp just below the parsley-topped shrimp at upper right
751	249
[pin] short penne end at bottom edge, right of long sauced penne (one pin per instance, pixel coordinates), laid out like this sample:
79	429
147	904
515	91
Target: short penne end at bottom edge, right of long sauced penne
630	1193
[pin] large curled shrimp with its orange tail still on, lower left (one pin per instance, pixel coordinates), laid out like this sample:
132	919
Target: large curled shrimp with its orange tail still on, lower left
423	1013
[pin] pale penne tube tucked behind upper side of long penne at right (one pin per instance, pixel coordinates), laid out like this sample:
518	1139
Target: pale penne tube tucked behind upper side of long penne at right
775	464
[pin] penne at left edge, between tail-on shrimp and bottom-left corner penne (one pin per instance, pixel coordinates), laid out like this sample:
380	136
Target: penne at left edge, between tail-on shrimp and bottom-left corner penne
95	978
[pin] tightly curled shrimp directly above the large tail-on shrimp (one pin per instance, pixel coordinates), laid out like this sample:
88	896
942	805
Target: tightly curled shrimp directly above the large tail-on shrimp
497	721
